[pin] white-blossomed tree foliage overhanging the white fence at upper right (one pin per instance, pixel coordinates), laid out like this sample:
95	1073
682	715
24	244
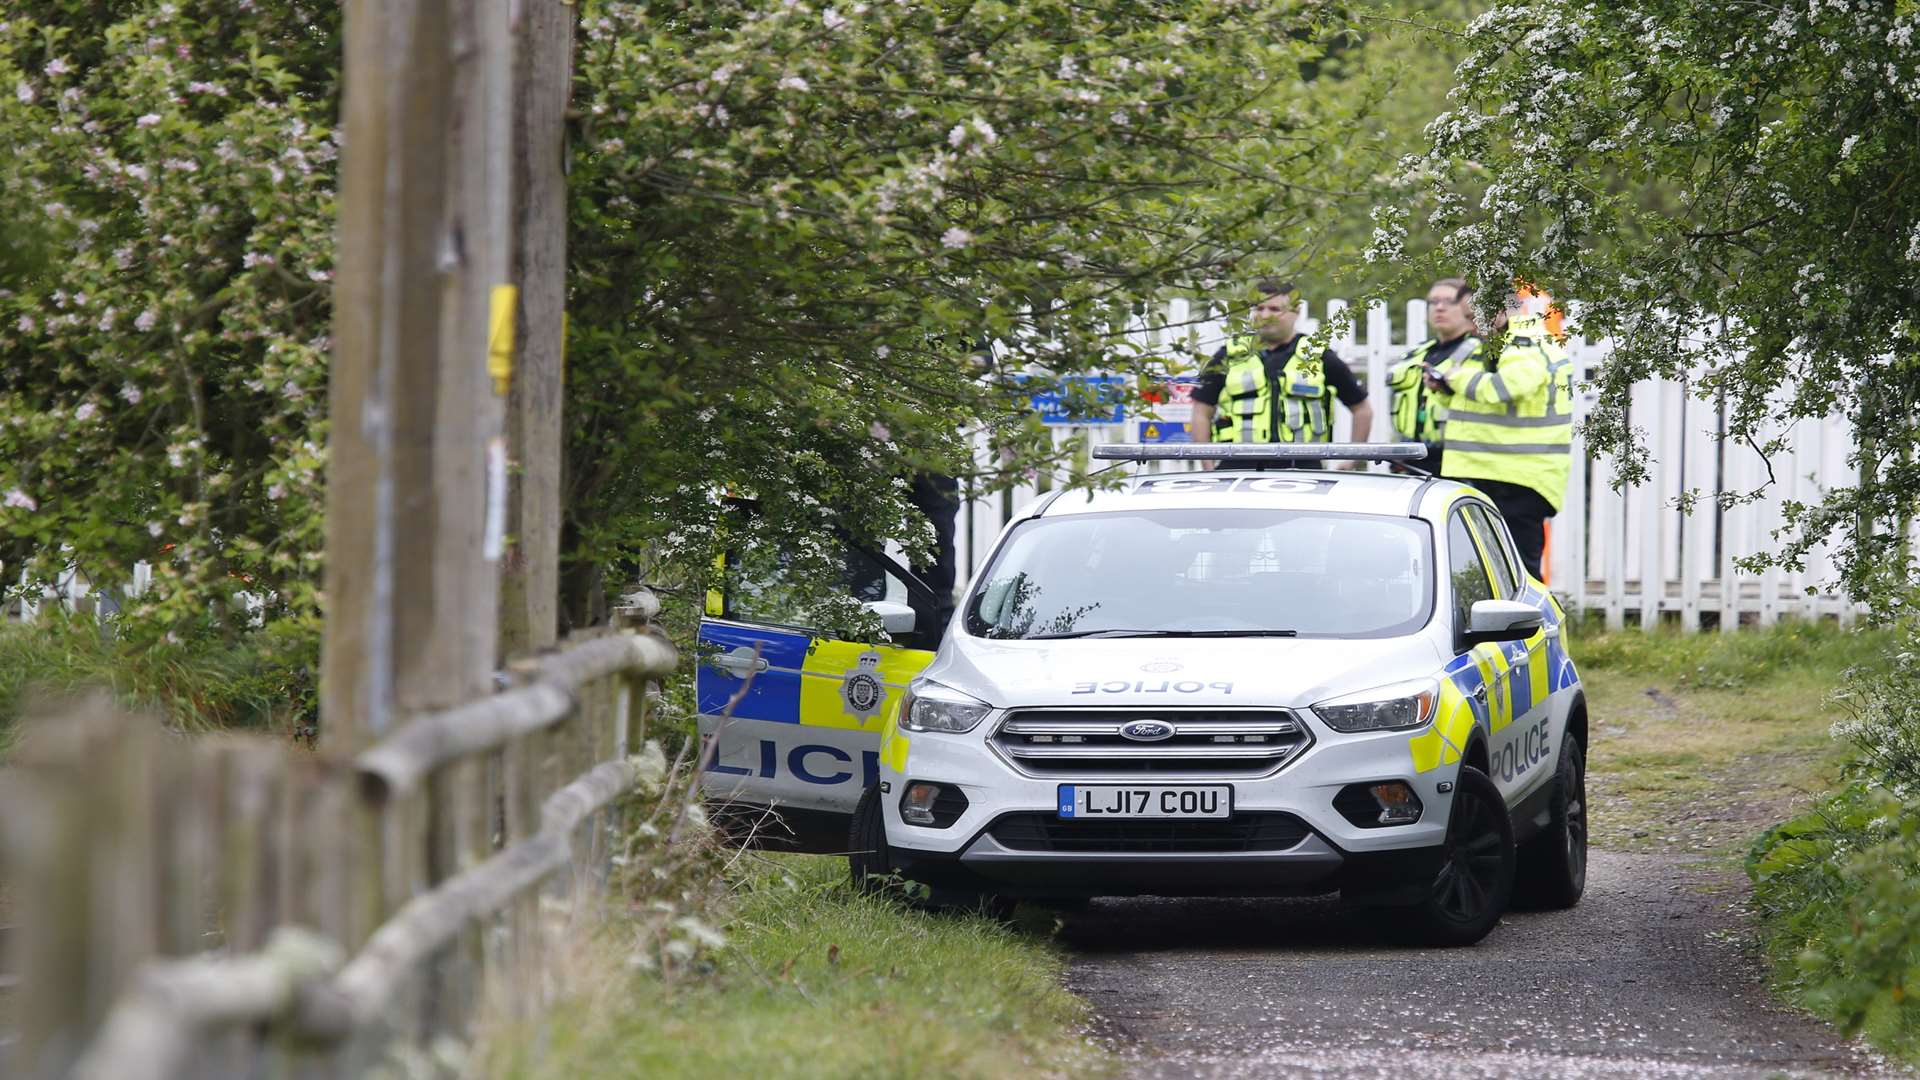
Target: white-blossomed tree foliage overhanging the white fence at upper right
1675	164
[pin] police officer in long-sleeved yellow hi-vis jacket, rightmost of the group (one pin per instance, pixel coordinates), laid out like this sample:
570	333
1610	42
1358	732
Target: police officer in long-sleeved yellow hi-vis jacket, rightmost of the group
1510	426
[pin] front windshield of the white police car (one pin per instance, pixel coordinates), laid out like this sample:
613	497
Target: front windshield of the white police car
1207	574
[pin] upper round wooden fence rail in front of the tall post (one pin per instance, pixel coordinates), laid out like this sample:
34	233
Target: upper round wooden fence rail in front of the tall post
404	760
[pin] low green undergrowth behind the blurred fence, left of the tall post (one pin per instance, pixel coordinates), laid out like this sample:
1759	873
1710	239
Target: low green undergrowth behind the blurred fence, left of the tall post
203	679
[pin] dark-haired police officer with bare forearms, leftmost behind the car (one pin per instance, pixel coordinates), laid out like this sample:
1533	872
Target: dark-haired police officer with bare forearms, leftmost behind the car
1262	389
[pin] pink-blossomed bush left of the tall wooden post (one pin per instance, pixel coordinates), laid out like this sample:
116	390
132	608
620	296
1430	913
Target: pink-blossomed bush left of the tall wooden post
164	330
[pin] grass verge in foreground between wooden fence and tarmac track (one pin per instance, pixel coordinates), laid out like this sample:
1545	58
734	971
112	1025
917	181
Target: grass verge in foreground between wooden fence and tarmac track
819	981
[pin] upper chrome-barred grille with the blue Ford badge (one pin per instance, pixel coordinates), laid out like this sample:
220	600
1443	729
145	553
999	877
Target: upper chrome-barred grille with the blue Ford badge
1207	743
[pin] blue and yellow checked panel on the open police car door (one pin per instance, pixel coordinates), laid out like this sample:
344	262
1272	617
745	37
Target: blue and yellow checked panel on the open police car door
805	683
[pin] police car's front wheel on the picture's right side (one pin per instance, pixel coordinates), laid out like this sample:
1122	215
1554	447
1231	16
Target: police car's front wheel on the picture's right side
1476	879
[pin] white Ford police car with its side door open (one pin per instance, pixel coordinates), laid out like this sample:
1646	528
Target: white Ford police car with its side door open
1255	681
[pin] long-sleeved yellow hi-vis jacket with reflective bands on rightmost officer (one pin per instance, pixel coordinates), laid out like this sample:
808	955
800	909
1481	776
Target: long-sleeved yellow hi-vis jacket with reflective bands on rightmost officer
1512	420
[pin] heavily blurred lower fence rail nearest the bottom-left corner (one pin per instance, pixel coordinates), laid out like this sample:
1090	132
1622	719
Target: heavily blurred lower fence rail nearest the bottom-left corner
158	1021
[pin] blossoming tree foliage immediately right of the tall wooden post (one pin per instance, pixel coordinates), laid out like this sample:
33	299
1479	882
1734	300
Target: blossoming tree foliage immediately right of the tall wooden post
794	226
